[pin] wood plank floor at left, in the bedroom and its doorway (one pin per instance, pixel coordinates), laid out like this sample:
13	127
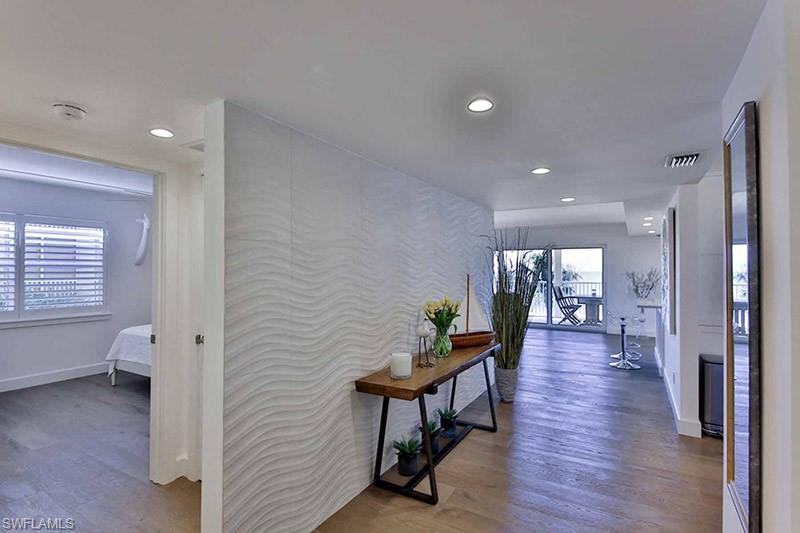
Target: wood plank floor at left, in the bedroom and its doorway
79	449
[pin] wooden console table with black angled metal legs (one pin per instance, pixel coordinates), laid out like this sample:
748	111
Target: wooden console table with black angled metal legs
426	381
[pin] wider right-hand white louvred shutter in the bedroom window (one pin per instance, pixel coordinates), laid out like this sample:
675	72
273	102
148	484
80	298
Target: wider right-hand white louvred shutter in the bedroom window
63	266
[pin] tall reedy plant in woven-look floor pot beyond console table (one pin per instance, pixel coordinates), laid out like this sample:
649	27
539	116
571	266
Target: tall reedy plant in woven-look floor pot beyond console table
518	272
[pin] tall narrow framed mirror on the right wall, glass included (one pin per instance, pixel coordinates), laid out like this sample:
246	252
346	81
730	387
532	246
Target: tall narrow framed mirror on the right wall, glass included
743	339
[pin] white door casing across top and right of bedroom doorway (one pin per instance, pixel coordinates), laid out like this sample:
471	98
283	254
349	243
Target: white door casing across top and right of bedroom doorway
175	444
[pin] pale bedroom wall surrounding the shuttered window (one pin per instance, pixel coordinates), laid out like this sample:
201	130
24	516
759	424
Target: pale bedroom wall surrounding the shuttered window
43	354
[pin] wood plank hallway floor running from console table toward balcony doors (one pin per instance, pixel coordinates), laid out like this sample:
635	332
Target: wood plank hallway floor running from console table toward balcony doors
584	447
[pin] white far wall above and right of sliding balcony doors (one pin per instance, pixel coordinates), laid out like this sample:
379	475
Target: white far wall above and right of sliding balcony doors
622	253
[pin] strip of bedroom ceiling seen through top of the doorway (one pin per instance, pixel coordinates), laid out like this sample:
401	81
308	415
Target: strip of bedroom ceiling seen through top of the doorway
32	165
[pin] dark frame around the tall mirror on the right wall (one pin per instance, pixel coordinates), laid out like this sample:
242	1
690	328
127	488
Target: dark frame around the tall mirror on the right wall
745	124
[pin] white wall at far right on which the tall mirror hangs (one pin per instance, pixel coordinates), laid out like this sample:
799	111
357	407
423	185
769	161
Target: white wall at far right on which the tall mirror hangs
769	73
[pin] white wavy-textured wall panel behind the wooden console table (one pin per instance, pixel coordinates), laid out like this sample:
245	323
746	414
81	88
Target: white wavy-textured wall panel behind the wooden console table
328	260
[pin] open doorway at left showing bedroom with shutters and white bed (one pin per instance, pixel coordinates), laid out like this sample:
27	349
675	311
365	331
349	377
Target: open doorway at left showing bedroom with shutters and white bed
77	304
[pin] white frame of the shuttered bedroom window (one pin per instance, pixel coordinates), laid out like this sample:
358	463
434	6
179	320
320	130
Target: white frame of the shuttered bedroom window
24	317
